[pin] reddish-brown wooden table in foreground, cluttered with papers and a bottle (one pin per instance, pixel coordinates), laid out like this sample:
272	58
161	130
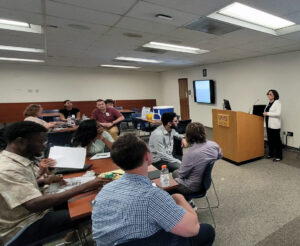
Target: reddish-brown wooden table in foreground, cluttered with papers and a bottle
80	205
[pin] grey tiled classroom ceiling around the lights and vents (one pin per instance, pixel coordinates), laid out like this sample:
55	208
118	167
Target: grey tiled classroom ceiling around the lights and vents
87	33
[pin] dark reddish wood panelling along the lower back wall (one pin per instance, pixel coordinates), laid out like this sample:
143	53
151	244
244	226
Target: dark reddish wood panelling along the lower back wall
12	112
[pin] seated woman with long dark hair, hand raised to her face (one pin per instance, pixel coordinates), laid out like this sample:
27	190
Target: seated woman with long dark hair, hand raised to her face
90	134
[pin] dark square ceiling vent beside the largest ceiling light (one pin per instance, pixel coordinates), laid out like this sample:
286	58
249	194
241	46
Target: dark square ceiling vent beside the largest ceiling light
207	25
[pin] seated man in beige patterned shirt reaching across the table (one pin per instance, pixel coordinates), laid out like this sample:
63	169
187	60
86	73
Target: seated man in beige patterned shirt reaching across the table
23	206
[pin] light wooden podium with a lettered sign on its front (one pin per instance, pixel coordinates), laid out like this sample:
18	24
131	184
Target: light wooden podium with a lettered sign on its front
240	135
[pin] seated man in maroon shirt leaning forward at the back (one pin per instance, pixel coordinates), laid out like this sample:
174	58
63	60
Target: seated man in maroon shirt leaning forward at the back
108	117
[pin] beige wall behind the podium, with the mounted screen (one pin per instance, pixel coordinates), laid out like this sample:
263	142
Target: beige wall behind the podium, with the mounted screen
243	82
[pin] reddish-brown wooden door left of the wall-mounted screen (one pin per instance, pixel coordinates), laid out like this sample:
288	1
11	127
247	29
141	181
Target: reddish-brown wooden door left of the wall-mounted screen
184	99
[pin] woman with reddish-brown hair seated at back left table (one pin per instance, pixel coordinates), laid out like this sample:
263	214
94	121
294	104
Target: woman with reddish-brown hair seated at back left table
33	113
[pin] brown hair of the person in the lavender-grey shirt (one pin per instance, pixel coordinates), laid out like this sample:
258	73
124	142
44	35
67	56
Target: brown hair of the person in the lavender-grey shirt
195	133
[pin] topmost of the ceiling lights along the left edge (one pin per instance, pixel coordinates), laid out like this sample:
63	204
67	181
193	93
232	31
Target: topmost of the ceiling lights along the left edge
20	26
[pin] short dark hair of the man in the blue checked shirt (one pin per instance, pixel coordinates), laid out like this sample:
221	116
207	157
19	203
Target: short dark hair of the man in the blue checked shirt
128	151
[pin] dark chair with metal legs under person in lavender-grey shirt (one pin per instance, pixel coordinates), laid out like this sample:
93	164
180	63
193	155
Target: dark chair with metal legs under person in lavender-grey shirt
207	181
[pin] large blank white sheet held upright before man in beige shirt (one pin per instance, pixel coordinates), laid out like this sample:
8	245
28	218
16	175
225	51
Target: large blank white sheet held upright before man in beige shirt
68	157
